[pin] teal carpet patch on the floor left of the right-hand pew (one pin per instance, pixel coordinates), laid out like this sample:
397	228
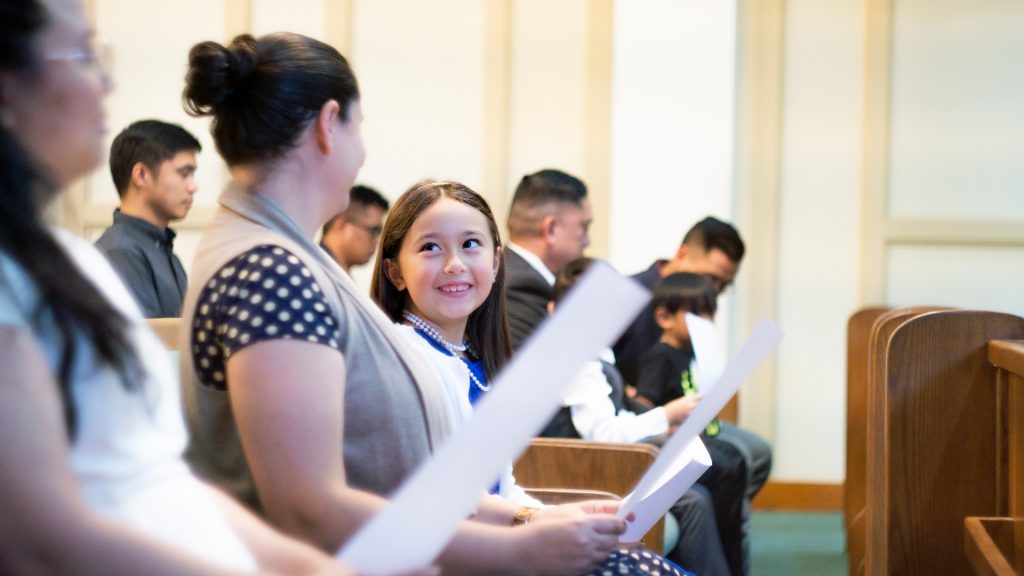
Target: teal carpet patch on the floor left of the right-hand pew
797	544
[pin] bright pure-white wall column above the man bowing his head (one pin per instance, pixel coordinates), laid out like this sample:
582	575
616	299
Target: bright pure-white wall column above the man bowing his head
672	125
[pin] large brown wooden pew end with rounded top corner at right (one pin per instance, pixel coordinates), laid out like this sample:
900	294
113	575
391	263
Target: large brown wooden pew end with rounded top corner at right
932	457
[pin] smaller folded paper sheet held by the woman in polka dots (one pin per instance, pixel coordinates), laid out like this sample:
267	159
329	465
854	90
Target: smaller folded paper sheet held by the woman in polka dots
660	482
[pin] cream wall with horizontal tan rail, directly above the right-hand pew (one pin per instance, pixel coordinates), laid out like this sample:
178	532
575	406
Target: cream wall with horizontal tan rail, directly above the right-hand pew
955	228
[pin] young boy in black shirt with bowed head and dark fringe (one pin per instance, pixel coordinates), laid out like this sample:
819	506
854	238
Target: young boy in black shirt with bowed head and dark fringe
667	376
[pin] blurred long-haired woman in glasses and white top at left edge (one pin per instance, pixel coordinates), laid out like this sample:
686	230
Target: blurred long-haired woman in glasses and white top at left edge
92	435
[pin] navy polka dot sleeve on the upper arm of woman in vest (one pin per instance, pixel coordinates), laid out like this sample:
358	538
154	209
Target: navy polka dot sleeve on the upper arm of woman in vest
265	295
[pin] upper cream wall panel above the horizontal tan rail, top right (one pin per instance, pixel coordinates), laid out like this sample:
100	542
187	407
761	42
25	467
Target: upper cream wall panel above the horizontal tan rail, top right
958	135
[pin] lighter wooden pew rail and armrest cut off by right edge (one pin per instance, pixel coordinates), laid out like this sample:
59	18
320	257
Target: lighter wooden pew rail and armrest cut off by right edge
996	546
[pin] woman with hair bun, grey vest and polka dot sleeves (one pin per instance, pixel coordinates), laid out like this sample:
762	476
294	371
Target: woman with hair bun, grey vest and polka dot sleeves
302	397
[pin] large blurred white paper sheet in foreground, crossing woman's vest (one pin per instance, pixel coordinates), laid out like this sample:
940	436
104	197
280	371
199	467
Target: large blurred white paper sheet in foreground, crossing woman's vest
426	511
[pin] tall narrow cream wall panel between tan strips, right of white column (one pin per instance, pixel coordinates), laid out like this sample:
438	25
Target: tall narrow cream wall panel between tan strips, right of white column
820	234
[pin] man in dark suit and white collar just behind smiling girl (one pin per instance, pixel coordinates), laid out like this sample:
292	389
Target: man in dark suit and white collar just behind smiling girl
548	225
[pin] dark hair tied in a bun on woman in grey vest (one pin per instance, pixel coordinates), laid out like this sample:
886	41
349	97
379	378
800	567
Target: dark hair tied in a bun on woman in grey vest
263	93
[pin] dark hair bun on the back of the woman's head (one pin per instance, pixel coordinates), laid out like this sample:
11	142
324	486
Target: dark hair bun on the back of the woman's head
218	73
